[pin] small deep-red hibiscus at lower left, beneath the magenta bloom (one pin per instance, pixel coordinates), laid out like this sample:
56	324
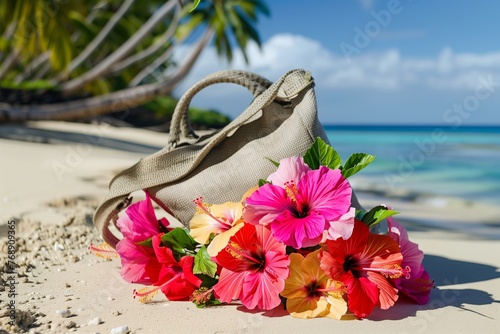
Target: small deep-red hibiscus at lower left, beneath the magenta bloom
174	278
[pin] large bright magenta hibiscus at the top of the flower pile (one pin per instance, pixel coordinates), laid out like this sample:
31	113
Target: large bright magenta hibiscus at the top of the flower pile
300	203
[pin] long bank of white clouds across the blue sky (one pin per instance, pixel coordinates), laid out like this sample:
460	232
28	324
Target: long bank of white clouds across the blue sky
387	70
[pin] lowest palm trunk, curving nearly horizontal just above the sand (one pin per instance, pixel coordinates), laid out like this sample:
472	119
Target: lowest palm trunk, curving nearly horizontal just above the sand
98	105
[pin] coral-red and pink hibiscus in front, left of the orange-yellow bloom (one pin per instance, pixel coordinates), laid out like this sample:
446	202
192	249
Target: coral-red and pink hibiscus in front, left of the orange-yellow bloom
254	268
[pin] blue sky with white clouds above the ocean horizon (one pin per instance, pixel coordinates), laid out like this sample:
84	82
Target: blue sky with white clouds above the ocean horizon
377	61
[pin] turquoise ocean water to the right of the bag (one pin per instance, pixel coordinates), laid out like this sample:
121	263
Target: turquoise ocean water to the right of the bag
462	162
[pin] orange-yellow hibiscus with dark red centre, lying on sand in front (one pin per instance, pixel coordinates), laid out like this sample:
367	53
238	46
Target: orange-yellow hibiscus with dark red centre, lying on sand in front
310	292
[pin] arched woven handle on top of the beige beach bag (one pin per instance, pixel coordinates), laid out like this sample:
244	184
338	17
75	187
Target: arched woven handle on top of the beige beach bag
181	125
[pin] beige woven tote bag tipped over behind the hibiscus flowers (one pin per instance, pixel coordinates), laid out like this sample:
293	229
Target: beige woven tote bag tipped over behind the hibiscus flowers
221	166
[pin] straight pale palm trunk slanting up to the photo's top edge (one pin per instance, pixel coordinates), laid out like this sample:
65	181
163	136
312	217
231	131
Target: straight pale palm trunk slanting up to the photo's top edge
102	68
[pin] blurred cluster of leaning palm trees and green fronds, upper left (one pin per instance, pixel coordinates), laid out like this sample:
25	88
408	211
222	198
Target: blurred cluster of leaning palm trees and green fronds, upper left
71	60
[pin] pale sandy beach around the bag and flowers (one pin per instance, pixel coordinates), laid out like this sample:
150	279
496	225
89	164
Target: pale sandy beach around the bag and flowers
54	175
